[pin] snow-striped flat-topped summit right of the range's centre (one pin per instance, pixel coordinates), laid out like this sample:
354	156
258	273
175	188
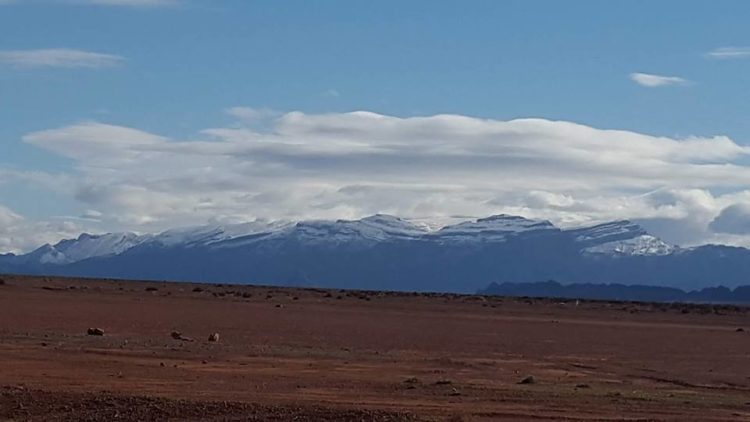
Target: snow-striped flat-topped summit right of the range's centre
496	228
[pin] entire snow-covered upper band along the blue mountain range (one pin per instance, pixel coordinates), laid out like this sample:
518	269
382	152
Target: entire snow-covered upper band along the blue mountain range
615	238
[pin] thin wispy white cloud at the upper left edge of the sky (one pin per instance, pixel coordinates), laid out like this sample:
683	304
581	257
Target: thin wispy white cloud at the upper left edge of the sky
58	57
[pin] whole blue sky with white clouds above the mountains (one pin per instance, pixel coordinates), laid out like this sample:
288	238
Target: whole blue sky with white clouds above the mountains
143	115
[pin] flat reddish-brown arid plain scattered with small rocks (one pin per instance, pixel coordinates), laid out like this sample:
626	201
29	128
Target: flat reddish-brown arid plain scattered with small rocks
309	354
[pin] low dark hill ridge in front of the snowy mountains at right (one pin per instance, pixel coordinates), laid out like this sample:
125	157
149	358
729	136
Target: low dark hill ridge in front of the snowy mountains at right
636	293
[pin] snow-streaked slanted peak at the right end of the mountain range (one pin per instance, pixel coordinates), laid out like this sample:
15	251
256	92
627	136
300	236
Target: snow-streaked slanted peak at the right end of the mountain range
620	238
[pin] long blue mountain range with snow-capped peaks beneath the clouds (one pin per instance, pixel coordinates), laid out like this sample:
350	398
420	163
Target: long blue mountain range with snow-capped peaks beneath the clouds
383	252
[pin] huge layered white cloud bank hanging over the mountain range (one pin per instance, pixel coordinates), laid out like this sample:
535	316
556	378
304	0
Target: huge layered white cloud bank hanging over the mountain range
346	165
